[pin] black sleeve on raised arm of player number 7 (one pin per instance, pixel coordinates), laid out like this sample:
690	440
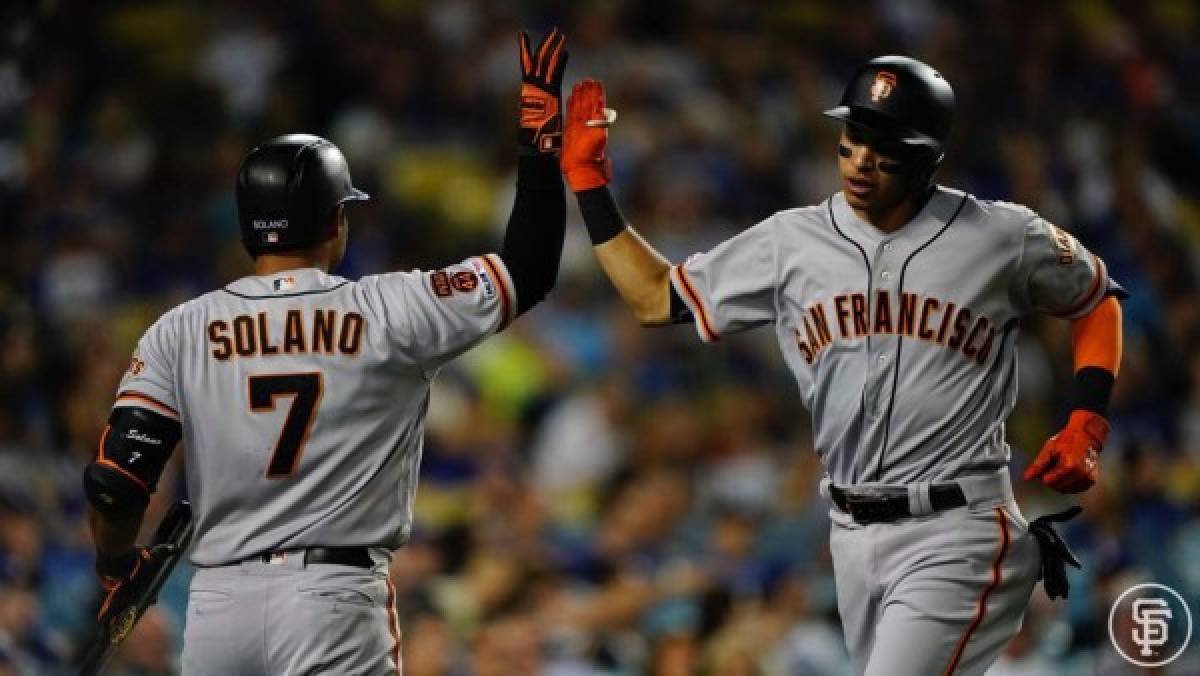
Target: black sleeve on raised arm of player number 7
533	243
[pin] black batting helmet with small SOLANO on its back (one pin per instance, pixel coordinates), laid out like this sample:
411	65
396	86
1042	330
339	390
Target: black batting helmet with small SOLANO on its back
287	189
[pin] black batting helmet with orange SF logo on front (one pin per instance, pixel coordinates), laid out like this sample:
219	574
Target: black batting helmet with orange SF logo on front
902	99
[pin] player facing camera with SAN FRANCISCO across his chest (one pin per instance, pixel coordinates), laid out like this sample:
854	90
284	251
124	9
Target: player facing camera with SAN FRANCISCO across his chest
897	304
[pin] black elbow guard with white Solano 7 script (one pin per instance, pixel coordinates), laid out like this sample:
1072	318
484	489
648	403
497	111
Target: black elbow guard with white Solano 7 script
133	454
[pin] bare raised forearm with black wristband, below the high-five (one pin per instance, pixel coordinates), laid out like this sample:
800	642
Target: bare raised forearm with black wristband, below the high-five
640	274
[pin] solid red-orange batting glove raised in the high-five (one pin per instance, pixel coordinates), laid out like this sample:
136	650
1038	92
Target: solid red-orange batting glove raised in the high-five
586	137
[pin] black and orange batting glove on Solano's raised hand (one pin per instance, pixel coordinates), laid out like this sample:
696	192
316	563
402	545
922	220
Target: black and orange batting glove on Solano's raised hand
542	86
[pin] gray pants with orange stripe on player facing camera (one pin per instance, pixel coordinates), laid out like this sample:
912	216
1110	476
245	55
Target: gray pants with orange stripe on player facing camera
938	594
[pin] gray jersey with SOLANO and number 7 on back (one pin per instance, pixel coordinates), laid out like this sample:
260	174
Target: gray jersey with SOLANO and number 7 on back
303	399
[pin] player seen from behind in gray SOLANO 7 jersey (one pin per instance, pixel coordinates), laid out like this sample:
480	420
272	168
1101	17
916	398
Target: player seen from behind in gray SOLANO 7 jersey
301	398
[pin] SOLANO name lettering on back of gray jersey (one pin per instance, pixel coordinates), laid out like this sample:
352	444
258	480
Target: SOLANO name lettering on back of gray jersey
326	332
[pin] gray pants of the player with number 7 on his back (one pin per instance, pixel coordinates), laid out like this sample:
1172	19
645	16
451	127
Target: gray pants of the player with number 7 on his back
286	618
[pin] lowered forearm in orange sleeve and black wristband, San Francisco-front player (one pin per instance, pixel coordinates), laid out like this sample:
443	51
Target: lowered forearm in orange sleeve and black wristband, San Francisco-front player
1097	340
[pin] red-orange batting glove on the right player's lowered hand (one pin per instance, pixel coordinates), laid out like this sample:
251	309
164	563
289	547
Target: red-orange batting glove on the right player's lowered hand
1069	462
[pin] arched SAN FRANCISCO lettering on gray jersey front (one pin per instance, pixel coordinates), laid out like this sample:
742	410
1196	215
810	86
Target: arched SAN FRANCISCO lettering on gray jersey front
923	318
